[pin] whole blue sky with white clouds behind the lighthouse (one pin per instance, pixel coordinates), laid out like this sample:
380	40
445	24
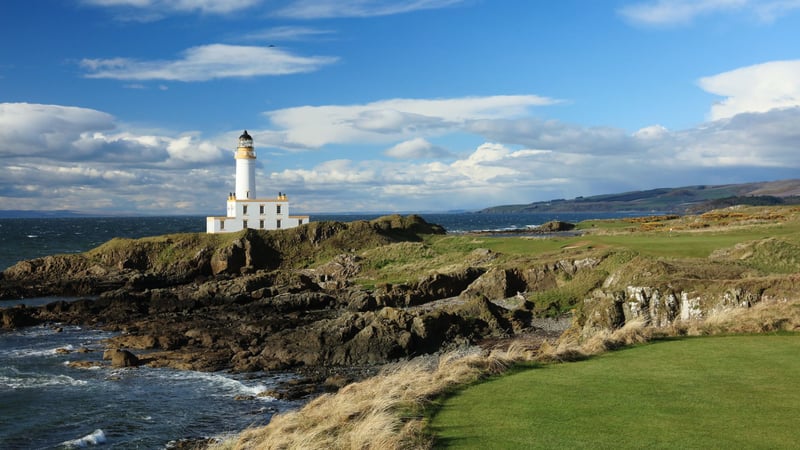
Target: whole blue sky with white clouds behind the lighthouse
135	106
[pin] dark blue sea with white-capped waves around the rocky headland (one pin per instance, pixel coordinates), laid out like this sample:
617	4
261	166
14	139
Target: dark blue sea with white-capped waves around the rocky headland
45	403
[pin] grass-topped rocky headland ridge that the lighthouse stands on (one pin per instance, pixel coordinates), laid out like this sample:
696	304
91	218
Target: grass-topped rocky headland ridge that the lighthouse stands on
180	259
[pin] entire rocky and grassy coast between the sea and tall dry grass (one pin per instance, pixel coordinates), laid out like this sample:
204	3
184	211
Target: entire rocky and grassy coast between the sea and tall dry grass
346	310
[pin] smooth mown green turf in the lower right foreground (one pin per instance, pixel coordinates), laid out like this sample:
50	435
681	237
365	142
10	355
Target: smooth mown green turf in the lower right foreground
713	392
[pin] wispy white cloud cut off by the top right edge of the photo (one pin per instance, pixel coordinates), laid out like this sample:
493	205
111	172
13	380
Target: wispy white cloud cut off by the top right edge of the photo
680	12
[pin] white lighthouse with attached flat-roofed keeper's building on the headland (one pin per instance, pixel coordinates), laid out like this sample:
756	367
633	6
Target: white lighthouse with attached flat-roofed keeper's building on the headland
244	209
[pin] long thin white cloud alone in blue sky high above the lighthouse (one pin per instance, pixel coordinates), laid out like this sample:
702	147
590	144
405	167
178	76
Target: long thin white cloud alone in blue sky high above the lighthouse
208	62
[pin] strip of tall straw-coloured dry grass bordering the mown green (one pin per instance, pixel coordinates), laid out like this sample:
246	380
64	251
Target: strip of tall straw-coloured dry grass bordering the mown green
386	411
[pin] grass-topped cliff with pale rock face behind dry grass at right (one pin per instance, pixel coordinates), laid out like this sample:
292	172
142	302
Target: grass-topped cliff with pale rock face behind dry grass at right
666	294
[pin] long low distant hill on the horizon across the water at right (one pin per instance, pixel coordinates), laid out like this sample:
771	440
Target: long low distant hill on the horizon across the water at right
687	199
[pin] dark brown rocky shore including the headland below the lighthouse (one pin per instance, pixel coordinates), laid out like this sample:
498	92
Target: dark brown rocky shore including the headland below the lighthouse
248	303
